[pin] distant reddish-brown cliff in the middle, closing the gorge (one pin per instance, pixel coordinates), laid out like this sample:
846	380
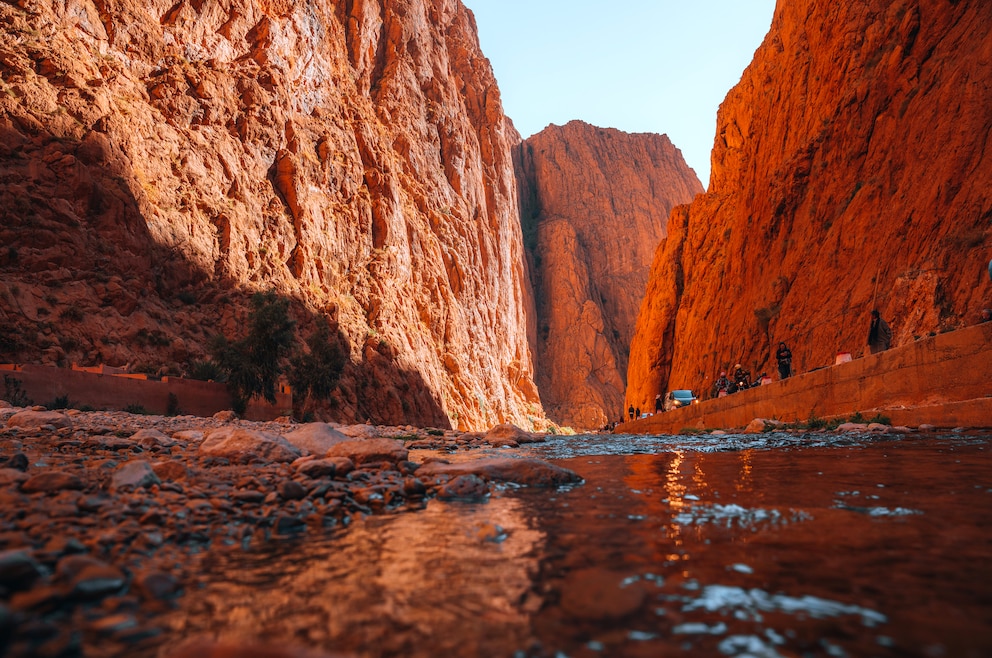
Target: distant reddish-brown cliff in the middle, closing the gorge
594	205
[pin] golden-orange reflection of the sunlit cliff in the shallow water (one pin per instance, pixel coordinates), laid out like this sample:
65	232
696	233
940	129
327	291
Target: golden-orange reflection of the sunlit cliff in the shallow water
454	579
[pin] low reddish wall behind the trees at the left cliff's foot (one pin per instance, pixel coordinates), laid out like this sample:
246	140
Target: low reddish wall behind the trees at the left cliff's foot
43	384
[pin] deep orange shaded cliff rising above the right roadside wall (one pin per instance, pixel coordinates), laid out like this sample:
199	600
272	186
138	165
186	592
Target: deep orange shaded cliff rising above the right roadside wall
850	171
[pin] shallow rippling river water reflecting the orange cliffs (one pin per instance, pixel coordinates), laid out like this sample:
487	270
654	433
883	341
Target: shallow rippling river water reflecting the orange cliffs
768	545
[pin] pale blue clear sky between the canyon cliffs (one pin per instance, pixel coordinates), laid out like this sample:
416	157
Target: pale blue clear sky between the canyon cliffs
658	66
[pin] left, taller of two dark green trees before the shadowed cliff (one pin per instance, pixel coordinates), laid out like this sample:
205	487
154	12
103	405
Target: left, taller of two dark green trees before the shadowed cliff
252	364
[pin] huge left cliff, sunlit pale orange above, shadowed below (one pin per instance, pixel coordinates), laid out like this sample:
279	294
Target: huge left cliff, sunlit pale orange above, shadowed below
160	161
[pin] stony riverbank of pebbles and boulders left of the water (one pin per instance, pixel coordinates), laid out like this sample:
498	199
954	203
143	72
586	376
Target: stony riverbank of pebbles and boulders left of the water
104	514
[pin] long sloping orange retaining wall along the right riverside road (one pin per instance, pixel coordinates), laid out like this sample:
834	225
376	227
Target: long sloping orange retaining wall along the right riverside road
943	380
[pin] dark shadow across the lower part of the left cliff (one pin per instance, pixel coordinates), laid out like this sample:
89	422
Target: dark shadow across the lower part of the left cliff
83	280
